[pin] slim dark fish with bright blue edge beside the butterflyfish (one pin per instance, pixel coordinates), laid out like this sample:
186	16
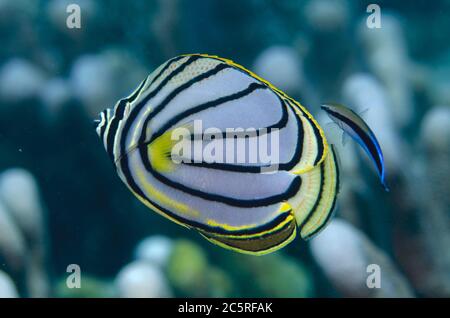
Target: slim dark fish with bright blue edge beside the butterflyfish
353	125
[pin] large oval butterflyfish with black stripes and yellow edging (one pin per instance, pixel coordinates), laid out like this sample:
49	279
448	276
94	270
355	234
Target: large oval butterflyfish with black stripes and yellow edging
232	204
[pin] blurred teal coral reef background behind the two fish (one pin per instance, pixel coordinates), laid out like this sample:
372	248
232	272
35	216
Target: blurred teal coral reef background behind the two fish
61	202
